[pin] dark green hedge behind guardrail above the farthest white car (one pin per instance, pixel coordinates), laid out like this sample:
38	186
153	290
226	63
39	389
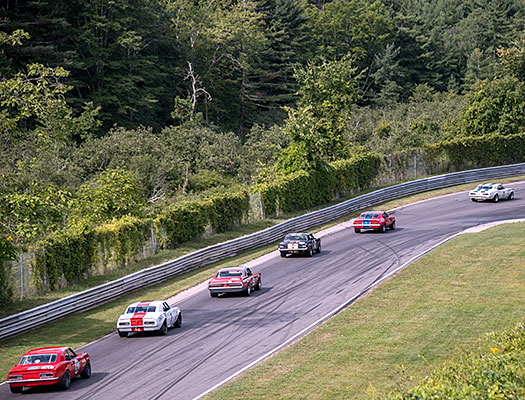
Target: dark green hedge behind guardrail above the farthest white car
482	151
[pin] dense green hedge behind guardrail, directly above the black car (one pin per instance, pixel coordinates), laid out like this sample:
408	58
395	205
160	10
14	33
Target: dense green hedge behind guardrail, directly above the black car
305	189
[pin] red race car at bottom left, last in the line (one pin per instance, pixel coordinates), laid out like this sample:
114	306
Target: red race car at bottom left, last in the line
48	366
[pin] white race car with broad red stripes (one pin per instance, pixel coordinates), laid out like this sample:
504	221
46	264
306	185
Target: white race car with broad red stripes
149	316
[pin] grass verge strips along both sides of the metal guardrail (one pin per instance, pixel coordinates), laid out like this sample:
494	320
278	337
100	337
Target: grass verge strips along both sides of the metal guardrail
79	329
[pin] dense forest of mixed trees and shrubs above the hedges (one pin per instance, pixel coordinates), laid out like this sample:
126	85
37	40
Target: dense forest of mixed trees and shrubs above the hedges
118	107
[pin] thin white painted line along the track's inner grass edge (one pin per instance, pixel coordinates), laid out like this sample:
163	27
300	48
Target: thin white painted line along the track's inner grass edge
324	318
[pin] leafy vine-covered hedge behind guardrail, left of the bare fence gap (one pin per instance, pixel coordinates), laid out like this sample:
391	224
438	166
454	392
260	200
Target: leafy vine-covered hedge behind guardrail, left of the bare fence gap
70	255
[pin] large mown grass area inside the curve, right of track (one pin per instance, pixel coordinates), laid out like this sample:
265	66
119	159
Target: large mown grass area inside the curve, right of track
398	333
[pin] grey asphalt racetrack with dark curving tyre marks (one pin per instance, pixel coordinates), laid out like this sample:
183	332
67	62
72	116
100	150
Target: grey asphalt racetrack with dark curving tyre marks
222	335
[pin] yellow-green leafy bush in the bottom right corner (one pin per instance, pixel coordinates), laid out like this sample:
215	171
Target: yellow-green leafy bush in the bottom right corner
499	373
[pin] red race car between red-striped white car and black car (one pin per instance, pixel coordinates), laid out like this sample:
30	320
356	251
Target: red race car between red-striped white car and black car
234	279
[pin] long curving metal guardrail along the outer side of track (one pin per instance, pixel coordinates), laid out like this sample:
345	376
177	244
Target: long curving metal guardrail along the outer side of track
21	322
